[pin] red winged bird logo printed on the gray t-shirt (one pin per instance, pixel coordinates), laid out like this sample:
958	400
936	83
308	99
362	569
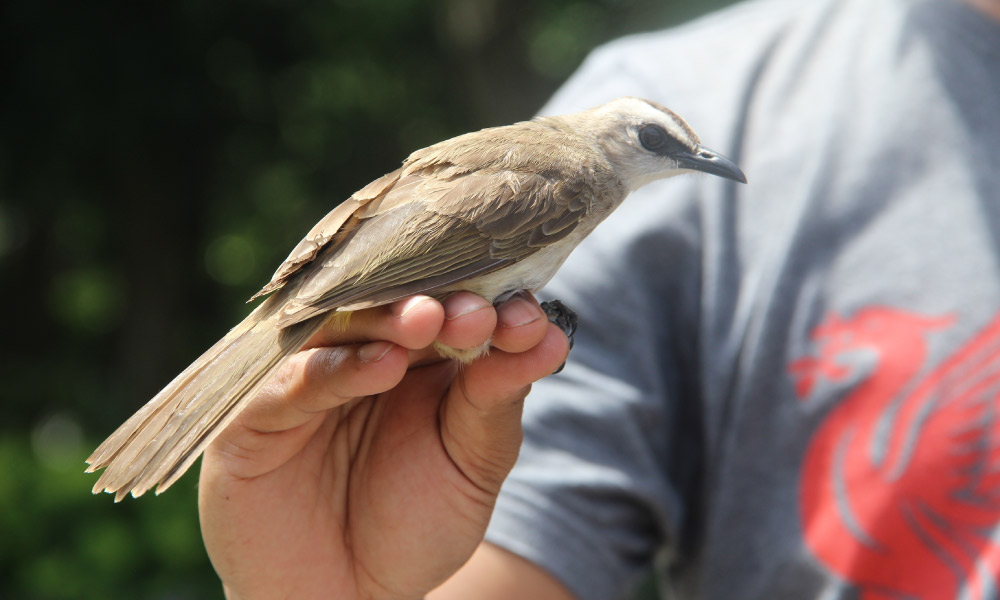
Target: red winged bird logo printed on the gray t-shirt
900	485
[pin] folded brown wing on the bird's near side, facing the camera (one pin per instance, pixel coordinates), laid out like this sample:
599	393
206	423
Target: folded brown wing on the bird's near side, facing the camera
433	227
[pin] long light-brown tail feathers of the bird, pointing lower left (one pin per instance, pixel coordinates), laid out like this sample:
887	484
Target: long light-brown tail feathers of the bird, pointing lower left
160	441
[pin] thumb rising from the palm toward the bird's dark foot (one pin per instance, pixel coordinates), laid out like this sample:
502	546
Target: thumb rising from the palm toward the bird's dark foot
481	413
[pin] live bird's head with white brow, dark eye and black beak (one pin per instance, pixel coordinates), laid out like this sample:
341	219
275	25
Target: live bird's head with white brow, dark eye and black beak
645	141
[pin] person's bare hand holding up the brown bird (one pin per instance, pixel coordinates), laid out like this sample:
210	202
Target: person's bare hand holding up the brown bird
368	467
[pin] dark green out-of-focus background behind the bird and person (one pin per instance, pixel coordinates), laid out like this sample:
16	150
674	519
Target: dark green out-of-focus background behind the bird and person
157	162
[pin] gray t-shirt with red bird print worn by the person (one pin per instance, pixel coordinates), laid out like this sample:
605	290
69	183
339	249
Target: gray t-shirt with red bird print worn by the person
787	389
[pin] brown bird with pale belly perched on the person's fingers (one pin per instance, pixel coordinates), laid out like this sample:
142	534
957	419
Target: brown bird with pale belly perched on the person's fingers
494	212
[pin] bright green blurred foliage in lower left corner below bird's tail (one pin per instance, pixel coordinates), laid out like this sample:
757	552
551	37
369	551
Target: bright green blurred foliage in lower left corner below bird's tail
60	542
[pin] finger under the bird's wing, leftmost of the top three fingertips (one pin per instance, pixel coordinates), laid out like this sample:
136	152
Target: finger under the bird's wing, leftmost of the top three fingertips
412	323
